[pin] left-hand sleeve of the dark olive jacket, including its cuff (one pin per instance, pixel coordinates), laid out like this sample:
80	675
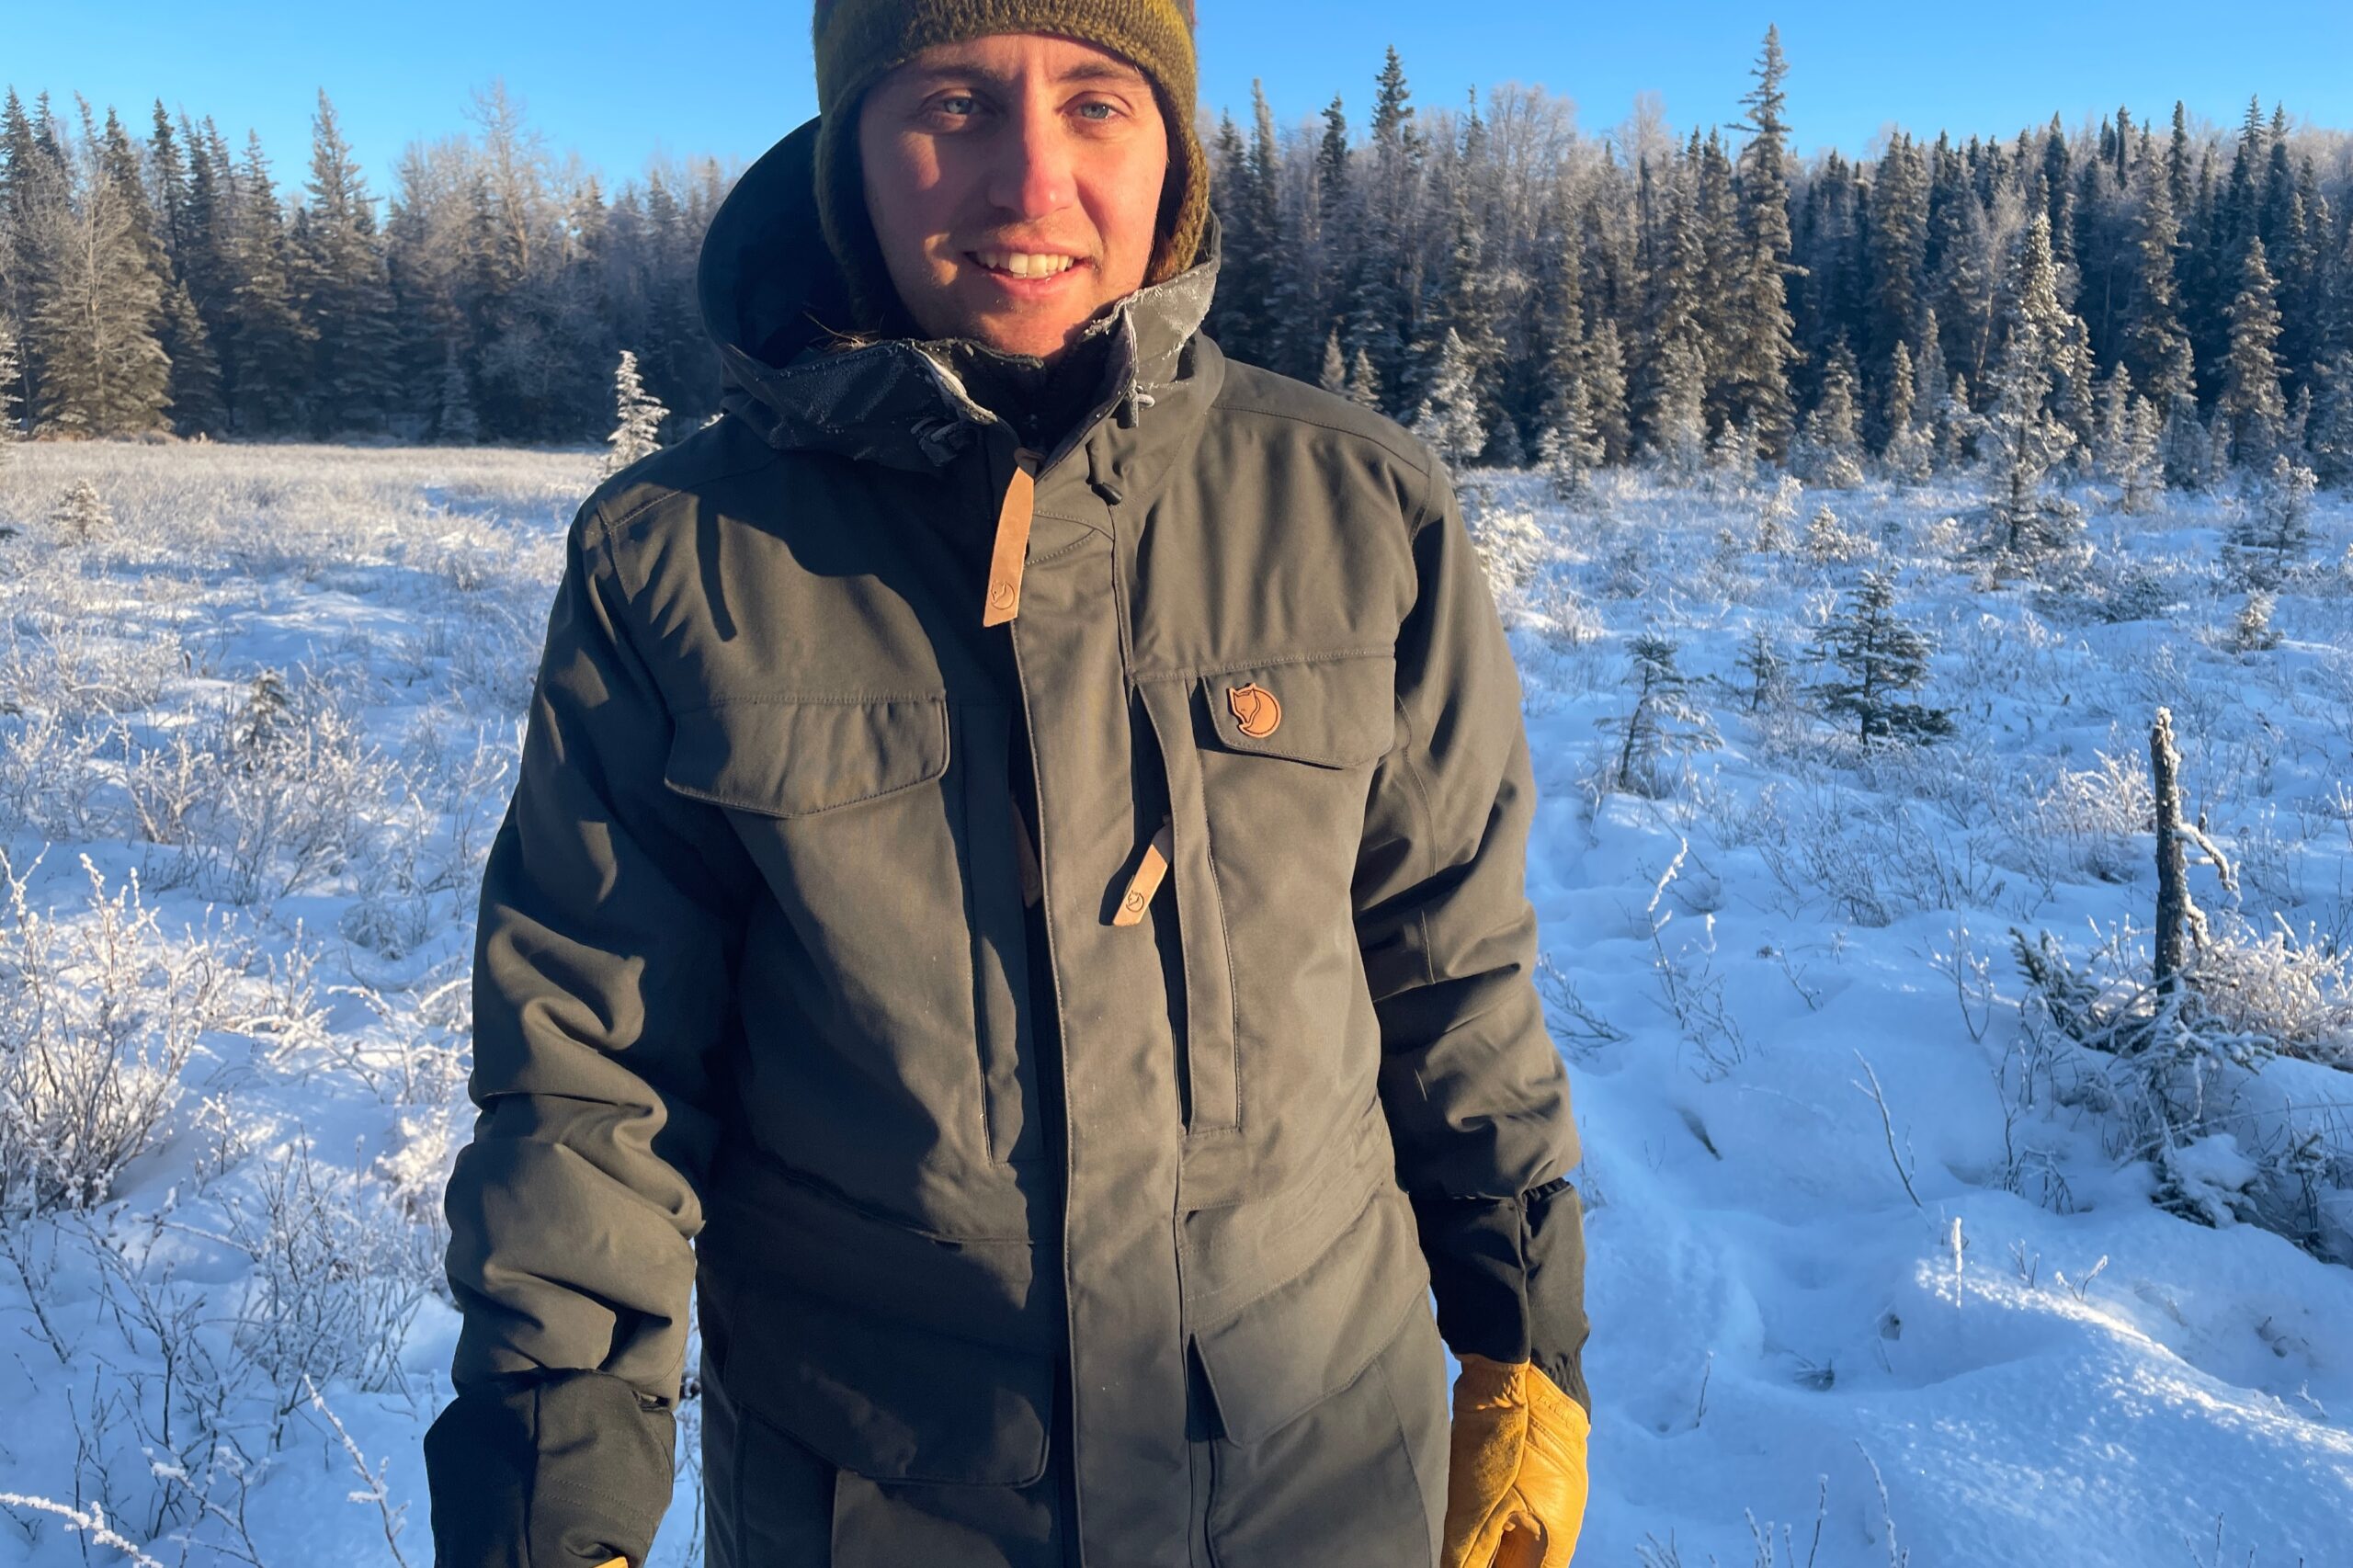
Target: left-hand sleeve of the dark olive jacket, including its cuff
604	964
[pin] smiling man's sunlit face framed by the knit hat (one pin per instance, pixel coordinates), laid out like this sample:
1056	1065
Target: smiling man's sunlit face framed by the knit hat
1015	185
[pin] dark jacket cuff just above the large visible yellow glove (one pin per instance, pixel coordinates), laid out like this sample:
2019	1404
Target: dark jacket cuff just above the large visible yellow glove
1512	1280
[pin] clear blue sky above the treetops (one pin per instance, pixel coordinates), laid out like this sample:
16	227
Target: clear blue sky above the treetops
625	81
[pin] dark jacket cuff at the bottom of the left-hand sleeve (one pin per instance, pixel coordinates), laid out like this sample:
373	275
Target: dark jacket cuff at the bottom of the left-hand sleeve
552	1470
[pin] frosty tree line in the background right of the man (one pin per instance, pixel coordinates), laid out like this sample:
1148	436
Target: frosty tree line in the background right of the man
1521	291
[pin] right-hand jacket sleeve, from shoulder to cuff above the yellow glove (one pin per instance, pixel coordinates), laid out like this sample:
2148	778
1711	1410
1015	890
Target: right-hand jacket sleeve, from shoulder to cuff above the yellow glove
1474	1089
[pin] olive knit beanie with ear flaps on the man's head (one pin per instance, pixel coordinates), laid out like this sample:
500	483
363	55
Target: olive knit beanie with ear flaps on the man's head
860	41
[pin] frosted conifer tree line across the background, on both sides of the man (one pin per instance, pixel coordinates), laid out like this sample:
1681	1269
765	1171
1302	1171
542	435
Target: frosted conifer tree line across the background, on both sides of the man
2157	298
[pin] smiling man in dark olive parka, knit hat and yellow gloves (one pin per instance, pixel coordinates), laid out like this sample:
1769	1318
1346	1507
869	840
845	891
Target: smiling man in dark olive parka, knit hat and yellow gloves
1015	886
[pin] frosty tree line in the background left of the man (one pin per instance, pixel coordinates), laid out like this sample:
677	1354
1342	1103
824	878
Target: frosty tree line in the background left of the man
166	284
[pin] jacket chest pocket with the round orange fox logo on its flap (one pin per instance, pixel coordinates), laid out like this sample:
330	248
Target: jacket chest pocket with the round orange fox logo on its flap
1269	766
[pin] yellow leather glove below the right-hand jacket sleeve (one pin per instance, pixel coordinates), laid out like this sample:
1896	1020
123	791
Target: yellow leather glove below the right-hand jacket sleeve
1517	1473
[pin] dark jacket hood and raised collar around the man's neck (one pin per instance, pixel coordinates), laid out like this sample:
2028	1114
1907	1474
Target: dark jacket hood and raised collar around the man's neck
775	305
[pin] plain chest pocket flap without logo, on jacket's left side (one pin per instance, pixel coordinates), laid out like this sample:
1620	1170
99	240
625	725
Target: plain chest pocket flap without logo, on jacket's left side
804	757
